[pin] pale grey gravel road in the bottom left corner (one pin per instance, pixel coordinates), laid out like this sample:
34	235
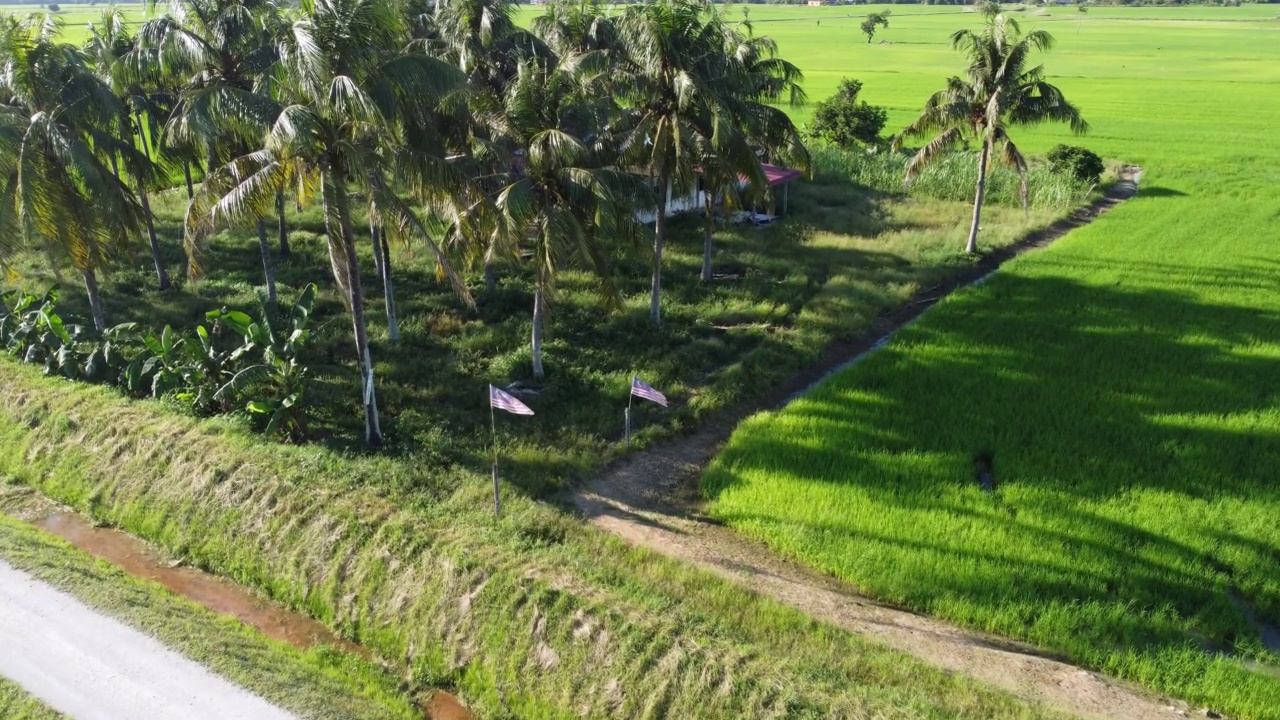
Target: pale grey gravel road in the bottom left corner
92	667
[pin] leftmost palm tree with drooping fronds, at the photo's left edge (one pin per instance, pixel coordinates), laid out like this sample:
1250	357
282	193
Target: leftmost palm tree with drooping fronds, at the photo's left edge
58	130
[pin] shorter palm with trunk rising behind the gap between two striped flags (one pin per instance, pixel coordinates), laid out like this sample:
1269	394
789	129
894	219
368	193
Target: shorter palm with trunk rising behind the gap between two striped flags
564	203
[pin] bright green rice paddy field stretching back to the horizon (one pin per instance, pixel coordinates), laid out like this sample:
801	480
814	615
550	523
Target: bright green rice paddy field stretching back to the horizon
1126	382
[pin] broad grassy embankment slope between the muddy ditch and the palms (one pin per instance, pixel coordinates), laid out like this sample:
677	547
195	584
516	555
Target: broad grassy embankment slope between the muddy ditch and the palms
537	616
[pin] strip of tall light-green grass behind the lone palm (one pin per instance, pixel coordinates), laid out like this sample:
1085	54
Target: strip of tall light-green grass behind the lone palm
949	180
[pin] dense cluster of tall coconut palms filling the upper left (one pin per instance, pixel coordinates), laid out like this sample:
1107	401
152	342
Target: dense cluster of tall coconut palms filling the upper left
444	122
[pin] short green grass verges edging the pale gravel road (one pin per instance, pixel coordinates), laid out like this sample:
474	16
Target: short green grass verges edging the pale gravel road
318	685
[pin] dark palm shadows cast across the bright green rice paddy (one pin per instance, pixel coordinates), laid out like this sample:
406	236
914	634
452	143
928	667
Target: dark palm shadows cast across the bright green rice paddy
1092	402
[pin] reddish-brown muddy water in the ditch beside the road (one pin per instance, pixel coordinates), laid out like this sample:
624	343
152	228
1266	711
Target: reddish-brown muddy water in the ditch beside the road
139	559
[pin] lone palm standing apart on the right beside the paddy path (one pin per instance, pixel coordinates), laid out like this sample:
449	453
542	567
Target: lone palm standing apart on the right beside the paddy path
998	92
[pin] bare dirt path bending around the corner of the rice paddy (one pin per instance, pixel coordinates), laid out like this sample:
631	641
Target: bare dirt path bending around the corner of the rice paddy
652	500
